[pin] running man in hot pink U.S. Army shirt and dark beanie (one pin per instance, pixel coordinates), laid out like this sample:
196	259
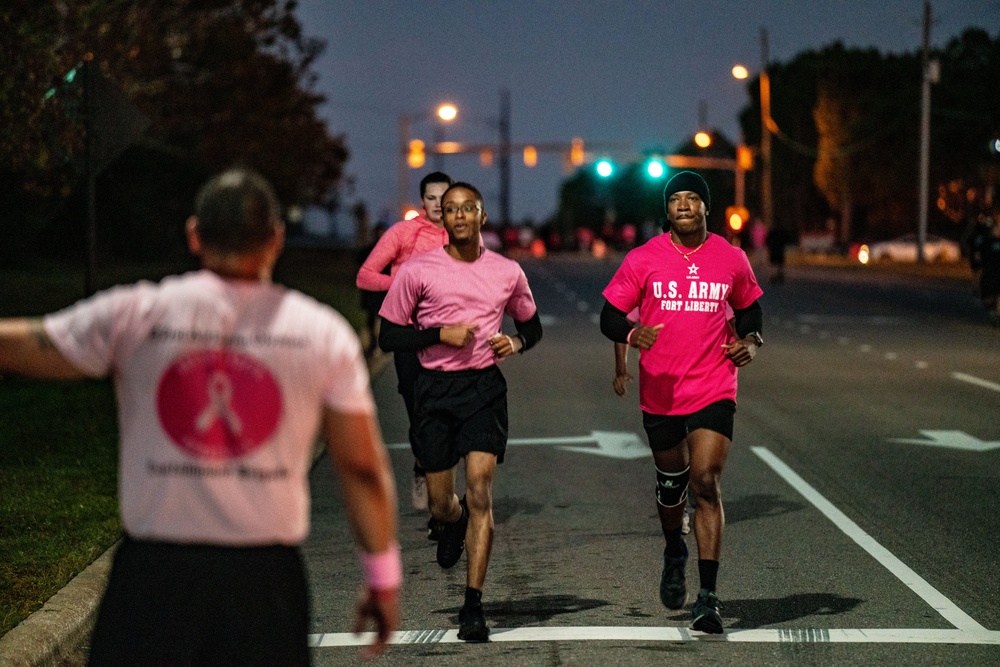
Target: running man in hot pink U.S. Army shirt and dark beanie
682	282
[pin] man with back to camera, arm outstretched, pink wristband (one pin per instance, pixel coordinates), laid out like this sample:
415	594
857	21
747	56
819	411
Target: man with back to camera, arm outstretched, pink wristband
223	380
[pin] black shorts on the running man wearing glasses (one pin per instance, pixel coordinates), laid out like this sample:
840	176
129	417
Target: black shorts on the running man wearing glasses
457	412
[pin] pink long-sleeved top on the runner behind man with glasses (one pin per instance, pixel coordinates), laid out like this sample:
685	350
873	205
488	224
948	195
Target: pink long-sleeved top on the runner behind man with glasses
403	240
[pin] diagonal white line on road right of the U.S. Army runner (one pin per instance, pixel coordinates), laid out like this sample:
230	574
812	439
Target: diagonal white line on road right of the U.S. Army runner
914	581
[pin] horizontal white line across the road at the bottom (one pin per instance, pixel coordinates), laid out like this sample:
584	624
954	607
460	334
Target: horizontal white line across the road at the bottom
673	634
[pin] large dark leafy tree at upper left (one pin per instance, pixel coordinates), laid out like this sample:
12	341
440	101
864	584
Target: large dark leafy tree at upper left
221	82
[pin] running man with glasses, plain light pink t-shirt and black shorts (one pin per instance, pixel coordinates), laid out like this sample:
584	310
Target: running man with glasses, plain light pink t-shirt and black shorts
457	297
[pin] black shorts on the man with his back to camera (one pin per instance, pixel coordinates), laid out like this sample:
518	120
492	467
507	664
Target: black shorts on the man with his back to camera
180	604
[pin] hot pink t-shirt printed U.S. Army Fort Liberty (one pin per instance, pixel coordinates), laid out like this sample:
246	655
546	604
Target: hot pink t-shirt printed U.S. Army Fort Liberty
686	369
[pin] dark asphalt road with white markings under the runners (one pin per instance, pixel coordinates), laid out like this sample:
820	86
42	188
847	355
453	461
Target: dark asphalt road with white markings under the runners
860	495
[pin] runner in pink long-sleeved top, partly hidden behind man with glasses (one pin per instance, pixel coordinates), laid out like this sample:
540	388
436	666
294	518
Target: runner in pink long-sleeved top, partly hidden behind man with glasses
406	239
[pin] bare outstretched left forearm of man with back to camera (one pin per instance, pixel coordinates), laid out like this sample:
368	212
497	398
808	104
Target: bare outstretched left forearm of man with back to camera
26	349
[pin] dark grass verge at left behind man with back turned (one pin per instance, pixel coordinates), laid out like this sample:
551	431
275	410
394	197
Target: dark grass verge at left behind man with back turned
59	441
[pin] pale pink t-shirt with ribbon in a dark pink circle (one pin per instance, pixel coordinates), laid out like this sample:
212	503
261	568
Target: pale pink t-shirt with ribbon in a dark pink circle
220	386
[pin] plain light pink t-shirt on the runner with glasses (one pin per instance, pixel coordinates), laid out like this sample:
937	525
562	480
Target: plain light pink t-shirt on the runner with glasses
435	290
